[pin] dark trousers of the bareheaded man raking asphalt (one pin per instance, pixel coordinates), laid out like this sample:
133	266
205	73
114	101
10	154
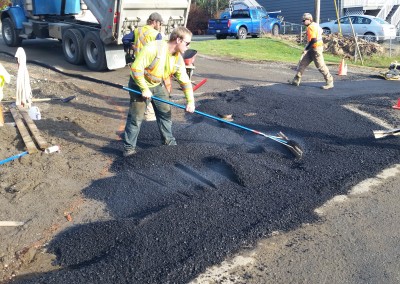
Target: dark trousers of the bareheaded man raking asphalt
135	117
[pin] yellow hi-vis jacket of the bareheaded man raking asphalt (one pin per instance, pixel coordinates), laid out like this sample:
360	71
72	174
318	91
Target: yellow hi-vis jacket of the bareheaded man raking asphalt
155	64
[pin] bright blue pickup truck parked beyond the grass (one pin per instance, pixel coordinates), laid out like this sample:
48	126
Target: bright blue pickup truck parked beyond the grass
244	22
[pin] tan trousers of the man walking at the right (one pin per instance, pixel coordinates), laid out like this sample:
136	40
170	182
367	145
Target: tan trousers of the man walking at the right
314	54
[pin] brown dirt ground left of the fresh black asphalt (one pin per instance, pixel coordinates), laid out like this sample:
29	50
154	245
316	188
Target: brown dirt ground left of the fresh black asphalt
43	190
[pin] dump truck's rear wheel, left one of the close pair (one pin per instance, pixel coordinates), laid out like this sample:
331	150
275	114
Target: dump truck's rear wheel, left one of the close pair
73	46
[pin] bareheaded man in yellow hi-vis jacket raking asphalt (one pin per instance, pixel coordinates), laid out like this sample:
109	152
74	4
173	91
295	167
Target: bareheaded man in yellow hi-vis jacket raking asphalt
158	60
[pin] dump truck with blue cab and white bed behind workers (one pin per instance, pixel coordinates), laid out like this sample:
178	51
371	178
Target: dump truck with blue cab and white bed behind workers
91	31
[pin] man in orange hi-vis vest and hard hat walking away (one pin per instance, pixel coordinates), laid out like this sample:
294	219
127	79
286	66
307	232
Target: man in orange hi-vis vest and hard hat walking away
313	52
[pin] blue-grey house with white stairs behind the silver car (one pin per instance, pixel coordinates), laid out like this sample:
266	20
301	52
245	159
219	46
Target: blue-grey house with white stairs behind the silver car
293	10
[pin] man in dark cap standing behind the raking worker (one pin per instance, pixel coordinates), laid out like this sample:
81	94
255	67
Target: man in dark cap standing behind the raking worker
143	35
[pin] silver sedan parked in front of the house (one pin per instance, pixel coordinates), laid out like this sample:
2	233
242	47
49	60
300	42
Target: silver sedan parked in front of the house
370	27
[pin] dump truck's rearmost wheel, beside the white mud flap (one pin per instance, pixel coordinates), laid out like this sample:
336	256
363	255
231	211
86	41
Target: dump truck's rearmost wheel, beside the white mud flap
93	52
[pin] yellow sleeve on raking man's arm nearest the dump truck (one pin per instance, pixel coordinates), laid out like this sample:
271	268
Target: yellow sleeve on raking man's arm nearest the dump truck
142	61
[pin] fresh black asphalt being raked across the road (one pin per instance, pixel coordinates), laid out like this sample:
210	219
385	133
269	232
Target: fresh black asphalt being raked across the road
179	209
